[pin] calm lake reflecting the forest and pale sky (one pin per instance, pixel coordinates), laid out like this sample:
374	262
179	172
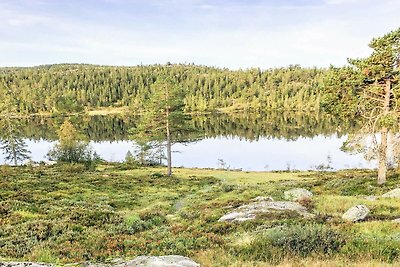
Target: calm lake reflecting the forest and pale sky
252	142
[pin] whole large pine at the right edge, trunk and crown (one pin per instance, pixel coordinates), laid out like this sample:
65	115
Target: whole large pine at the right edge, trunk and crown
369	89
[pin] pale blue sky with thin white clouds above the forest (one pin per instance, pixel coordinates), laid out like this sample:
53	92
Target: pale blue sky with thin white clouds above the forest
224	33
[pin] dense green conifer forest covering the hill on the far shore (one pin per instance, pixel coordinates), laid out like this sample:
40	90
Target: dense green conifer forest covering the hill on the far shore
74	88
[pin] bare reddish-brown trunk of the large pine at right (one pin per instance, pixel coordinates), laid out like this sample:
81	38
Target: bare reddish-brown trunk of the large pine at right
382	151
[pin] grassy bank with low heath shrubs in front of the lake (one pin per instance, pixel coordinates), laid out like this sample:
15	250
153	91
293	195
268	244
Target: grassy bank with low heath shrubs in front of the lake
64	214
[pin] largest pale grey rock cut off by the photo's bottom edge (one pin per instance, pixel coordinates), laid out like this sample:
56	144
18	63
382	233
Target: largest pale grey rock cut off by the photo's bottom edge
160	261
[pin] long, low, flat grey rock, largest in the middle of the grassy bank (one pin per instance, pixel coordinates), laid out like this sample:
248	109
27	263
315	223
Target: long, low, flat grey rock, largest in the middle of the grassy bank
249	211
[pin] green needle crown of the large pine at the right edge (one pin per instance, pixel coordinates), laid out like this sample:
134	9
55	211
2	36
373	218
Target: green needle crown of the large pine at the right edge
359	89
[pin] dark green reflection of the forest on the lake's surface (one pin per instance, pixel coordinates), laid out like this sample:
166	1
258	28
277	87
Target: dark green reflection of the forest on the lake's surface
250	126
